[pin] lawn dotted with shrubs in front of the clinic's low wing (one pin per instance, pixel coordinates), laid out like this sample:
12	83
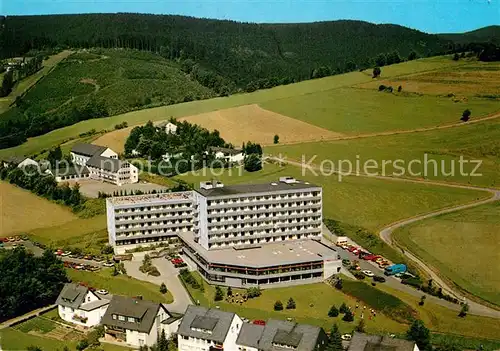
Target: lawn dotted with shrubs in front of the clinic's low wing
313	302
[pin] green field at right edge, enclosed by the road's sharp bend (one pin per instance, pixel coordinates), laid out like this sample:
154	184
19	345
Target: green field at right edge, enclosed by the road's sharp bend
471	261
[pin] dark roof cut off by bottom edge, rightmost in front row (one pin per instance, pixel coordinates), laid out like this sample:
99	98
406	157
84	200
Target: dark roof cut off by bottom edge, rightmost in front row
365	342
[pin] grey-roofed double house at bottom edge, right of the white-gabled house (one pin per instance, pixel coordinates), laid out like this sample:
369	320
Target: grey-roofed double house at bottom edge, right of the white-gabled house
281	335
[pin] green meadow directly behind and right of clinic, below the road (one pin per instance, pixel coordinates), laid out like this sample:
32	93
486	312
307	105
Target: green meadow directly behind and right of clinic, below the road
367	202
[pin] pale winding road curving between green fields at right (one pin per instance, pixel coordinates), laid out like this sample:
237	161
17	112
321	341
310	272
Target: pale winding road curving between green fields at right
385	234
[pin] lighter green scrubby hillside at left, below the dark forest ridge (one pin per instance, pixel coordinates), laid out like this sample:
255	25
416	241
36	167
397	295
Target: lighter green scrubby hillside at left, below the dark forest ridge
93	84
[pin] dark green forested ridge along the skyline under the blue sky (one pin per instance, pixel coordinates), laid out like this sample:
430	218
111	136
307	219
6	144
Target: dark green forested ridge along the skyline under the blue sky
243	53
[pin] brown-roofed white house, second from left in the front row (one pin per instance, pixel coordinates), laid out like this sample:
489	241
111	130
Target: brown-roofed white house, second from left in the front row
137	322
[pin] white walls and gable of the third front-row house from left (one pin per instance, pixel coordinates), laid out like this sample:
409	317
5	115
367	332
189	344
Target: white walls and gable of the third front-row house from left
187	343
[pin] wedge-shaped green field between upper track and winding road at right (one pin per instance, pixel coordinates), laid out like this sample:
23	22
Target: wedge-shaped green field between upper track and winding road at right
479	141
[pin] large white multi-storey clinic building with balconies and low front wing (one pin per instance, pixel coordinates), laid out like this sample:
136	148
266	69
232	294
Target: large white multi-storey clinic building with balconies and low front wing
243	235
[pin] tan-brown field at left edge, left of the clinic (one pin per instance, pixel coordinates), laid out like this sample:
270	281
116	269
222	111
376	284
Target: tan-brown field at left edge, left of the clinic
22	211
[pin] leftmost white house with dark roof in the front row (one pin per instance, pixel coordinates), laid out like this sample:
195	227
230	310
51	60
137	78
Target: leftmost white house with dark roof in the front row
79	305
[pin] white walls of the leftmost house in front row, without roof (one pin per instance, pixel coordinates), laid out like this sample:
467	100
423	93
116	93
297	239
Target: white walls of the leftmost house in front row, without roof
87	317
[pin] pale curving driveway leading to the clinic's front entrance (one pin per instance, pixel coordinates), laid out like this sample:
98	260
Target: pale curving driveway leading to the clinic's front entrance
168	276
